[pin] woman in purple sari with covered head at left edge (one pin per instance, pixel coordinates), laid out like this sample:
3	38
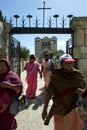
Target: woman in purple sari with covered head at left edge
10	84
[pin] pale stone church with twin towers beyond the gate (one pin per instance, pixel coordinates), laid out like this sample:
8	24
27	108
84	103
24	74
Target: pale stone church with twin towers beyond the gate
45	45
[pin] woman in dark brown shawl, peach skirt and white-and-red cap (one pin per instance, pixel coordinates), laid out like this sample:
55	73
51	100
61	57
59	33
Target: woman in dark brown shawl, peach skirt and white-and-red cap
64	87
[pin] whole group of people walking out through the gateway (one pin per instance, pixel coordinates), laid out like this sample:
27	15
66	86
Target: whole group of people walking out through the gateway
62	85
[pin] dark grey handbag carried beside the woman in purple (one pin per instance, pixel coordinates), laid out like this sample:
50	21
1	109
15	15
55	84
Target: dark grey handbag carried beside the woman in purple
18	104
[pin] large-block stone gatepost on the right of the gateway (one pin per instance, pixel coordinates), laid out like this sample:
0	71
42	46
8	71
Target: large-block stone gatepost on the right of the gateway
79	25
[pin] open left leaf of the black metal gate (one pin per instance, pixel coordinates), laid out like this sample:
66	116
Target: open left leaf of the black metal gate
15	55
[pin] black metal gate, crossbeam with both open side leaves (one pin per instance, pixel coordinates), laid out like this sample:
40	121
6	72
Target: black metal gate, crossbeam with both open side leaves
15	45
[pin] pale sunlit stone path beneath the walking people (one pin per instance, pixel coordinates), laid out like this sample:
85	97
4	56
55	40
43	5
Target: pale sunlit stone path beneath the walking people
30	119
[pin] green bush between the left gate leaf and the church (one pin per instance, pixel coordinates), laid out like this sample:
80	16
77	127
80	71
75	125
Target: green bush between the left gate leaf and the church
24	53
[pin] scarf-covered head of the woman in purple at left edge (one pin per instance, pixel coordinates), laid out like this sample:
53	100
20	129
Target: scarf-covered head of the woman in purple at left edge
5	66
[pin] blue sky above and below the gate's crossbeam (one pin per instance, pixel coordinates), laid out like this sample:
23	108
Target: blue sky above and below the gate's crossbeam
78	8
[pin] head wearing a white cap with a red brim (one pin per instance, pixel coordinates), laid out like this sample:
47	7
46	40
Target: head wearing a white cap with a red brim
66	61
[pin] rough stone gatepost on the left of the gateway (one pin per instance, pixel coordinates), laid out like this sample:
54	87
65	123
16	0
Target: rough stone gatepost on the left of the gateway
4	39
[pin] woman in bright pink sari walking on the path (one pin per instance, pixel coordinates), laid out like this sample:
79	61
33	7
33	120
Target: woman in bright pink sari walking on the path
32	68
